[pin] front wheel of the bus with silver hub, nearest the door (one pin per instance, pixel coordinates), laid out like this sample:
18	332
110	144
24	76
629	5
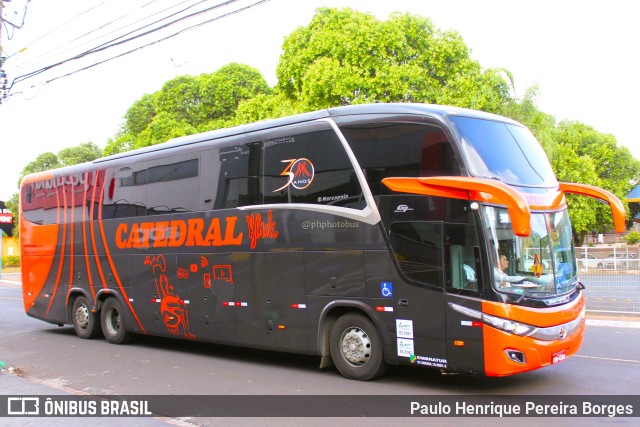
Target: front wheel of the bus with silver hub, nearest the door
356	348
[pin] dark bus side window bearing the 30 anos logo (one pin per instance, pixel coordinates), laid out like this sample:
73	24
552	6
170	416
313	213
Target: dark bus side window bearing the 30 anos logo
310	167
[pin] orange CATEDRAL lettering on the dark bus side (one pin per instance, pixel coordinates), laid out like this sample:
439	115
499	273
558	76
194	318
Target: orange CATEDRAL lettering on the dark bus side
177	233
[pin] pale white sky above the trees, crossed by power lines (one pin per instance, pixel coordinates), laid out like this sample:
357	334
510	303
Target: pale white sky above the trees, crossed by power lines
582	54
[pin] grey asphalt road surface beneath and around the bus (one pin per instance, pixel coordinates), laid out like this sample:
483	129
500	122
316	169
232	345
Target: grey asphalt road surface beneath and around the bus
53	357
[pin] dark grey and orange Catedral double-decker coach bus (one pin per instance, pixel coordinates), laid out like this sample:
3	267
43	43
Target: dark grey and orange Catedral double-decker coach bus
367	235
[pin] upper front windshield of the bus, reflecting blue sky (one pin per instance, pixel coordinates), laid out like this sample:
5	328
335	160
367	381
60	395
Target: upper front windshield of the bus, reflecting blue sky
504	151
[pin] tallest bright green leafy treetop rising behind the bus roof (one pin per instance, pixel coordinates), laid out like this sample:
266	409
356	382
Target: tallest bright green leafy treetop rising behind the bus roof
346	57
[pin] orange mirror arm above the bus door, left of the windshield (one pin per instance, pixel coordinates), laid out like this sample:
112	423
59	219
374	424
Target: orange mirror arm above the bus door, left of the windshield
458	186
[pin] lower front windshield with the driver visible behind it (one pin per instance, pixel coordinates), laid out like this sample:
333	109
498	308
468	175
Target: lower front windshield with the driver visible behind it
540	265
